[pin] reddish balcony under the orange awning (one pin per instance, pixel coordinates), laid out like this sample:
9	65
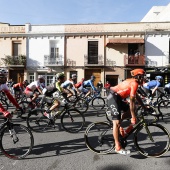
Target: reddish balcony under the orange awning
133	60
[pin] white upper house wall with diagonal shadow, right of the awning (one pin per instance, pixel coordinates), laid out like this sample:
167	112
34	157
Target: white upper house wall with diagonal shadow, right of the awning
157	49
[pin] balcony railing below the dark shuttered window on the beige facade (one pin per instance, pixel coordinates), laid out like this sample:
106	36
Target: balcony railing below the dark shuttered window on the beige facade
93	60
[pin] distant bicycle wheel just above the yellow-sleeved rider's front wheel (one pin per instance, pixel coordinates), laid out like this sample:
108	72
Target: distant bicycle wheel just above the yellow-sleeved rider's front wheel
82	105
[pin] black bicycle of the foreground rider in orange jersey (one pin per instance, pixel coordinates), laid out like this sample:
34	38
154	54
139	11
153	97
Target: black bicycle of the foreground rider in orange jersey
151	139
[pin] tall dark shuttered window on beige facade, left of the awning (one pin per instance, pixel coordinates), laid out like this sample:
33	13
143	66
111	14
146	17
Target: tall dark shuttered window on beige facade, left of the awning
92	52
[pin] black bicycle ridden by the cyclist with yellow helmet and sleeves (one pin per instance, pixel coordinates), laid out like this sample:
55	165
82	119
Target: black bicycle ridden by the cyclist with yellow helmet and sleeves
72	120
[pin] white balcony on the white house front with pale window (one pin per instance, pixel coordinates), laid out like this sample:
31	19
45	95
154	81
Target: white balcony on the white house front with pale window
50	60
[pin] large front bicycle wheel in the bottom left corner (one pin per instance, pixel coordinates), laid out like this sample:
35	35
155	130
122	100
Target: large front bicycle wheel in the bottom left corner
16	145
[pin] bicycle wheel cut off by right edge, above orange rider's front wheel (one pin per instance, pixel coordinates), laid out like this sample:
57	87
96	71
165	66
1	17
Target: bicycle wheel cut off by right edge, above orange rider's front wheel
164	107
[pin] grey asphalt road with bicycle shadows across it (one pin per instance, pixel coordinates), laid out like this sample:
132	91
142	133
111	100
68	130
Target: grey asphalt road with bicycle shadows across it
59	150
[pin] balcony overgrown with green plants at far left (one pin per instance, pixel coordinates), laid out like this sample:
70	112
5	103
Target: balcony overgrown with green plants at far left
14	61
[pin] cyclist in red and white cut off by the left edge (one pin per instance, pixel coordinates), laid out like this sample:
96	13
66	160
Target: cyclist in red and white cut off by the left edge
5	89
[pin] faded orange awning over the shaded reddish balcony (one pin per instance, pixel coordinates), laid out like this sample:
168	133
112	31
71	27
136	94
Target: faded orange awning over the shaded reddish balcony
125	40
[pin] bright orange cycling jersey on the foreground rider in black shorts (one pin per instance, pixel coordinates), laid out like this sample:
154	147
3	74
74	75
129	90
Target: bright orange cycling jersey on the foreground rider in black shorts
126	88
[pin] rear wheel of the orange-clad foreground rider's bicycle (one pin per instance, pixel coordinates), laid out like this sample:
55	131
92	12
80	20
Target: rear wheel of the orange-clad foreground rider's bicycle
99	137
